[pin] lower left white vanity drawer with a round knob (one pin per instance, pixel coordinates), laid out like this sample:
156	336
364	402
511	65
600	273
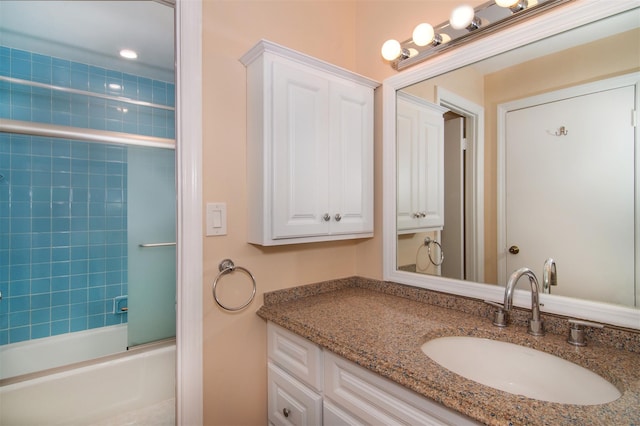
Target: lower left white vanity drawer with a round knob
290	402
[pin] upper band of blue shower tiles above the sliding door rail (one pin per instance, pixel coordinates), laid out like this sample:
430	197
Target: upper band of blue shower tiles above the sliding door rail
44	105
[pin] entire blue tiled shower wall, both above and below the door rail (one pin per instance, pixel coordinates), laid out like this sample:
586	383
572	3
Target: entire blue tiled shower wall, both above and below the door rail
63	209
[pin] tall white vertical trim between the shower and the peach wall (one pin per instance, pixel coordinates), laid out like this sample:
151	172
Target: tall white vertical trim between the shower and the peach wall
189	387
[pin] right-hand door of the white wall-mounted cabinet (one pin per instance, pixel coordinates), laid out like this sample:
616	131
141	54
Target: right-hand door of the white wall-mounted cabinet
351	159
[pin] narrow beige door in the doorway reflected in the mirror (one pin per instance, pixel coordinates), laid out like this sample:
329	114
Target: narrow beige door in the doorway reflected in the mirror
453	231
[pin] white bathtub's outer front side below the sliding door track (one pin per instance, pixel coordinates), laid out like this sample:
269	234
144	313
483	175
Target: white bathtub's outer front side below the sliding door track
112	389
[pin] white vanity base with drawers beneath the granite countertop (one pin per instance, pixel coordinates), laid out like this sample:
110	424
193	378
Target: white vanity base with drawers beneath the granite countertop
310	386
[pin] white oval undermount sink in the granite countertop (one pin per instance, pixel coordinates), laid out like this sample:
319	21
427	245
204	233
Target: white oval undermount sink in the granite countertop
520	370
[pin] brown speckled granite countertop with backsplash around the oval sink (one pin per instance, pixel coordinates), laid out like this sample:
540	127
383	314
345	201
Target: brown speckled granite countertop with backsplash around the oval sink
381	326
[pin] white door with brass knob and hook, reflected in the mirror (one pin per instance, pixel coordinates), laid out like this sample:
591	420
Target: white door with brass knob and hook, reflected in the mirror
570	195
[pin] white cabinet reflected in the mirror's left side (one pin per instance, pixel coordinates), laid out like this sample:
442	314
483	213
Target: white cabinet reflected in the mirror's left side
420	151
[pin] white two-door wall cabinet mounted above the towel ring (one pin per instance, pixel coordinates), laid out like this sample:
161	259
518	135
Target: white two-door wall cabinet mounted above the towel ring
309	149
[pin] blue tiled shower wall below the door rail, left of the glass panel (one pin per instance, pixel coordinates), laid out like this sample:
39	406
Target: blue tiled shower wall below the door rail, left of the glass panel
63	235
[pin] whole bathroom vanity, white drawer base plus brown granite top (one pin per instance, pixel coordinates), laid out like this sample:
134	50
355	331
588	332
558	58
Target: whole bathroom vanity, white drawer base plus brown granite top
349	352
